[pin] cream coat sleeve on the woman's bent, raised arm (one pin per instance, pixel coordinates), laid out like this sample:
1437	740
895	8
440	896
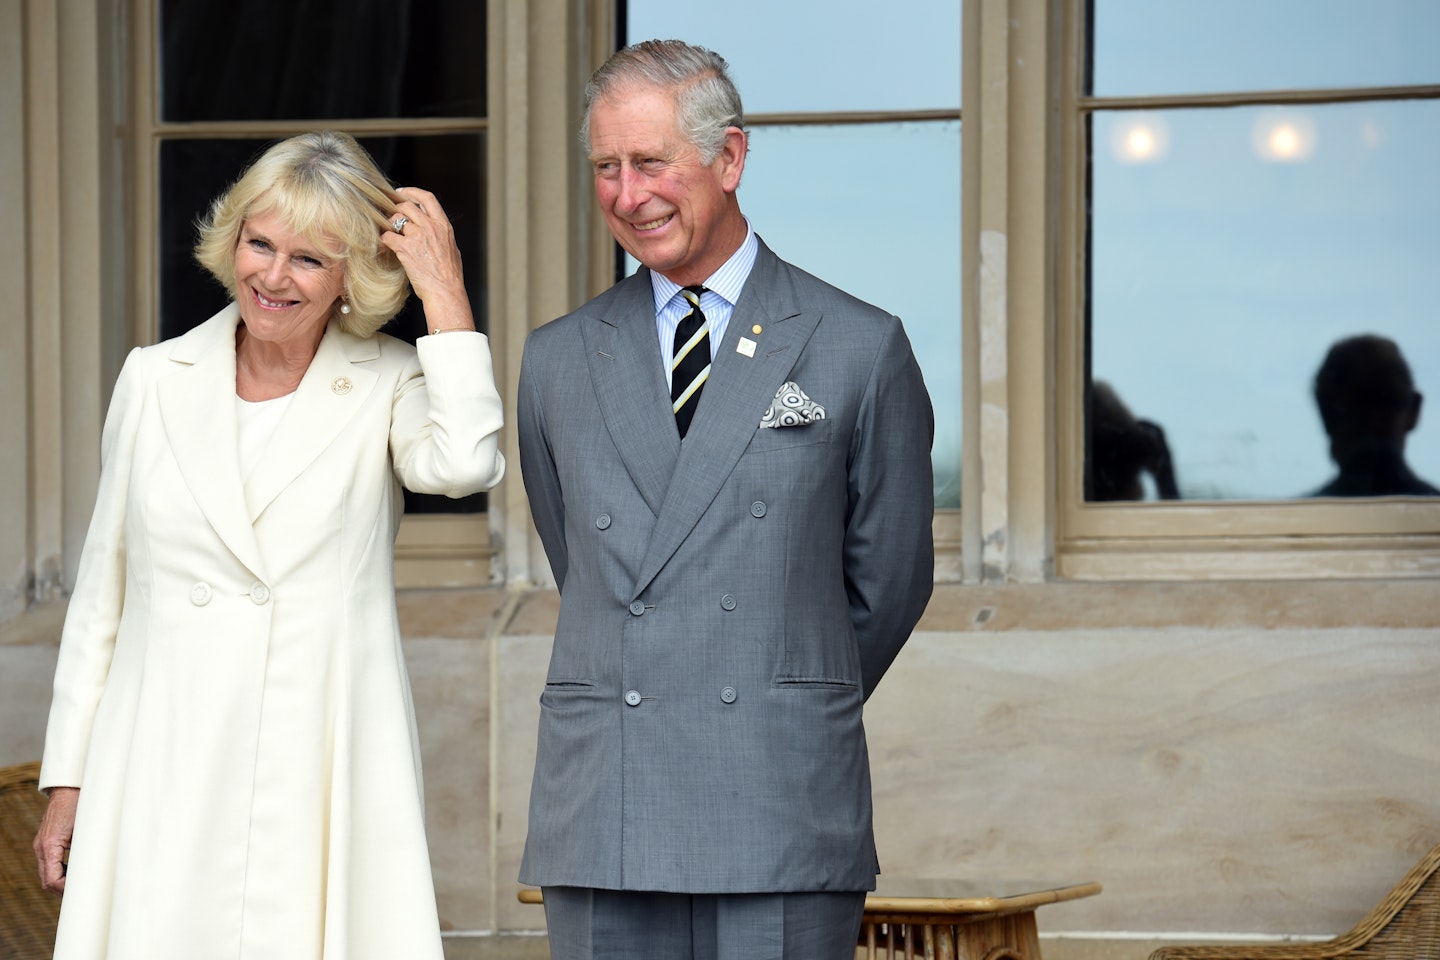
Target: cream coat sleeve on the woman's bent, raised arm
446	425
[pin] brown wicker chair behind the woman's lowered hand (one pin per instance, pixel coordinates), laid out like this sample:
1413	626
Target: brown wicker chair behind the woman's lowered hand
28	913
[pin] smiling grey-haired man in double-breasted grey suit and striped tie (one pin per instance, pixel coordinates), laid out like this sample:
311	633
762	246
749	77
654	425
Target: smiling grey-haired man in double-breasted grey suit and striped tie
729	466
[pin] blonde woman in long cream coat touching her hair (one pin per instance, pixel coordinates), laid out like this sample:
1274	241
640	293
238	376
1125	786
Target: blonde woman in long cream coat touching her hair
233	741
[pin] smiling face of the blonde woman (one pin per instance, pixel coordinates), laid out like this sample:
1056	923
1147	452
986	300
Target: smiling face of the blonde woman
287	287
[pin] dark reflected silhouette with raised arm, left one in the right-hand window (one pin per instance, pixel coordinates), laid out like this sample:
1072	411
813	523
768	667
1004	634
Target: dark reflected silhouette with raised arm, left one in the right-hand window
1124	450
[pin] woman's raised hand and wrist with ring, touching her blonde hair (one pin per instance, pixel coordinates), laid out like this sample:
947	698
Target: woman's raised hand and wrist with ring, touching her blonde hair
426	247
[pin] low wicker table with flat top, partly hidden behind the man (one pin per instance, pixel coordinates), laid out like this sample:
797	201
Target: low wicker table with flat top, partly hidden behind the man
948	919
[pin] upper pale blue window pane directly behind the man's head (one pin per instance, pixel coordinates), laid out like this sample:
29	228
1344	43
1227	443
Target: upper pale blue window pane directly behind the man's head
822	55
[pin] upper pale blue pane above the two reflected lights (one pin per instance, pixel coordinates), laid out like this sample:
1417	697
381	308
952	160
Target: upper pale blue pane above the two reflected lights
1197	47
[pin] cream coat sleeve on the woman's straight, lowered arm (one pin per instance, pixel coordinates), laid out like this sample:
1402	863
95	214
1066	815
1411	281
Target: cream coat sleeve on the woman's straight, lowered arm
93	618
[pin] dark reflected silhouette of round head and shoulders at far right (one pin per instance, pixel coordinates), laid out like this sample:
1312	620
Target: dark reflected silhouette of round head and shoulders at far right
1369	404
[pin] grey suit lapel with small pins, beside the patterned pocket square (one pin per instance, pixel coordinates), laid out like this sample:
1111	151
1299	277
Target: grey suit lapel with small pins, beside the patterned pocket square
735	398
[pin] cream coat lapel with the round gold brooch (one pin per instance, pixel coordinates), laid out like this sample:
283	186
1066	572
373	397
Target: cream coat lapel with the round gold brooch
329	397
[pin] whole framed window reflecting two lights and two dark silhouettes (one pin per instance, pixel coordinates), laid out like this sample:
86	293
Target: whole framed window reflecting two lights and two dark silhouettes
1242	201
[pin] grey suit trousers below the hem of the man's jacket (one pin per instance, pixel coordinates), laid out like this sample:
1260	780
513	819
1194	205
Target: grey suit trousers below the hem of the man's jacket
616	925
